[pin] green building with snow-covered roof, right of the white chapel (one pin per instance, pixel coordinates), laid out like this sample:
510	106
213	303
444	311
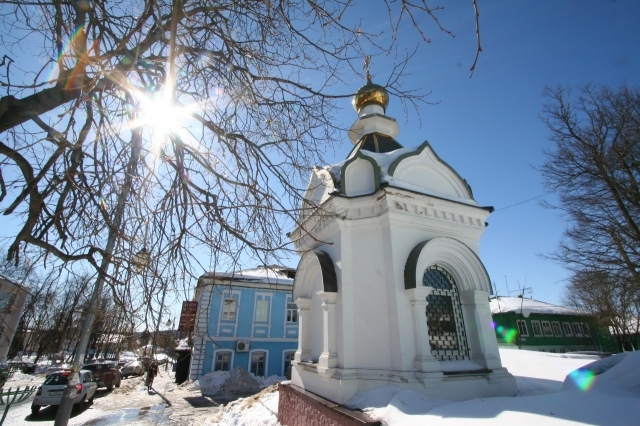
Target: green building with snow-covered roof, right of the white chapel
540	326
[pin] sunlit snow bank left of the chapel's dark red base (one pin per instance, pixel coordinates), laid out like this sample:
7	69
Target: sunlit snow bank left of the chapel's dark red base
260	409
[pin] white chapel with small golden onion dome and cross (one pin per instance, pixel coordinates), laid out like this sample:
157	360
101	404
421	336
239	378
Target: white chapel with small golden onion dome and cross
390	286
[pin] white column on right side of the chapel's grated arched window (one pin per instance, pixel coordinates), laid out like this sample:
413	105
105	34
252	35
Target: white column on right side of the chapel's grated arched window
481	336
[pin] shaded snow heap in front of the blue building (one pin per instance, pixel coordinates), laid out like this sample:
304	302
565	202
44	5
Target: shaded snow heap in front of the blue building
235	382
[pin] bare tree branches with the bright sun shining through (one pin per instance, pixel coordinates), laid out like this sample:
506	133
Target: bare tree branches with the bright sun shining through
191	122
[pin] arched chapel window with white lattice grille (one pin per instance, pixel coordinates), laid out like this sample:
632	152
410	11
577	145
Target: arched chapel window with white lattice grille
447	337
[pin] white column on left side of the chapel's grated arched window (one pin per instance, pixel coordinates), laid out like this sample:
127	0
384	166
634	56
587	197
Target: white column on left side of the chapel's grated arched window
423	360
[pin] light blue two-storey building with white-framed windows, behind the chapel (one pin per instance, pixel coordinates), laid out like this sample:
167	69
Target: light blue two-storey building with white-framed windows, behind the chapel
245	319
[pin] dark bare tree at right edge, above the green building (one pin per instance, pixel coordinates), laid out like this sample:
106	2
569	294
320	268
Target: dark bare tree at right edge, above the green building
595	169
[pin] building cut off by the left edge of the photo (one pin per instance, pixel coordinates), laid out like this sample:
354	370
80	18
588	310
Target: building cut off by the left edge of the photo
12	299
